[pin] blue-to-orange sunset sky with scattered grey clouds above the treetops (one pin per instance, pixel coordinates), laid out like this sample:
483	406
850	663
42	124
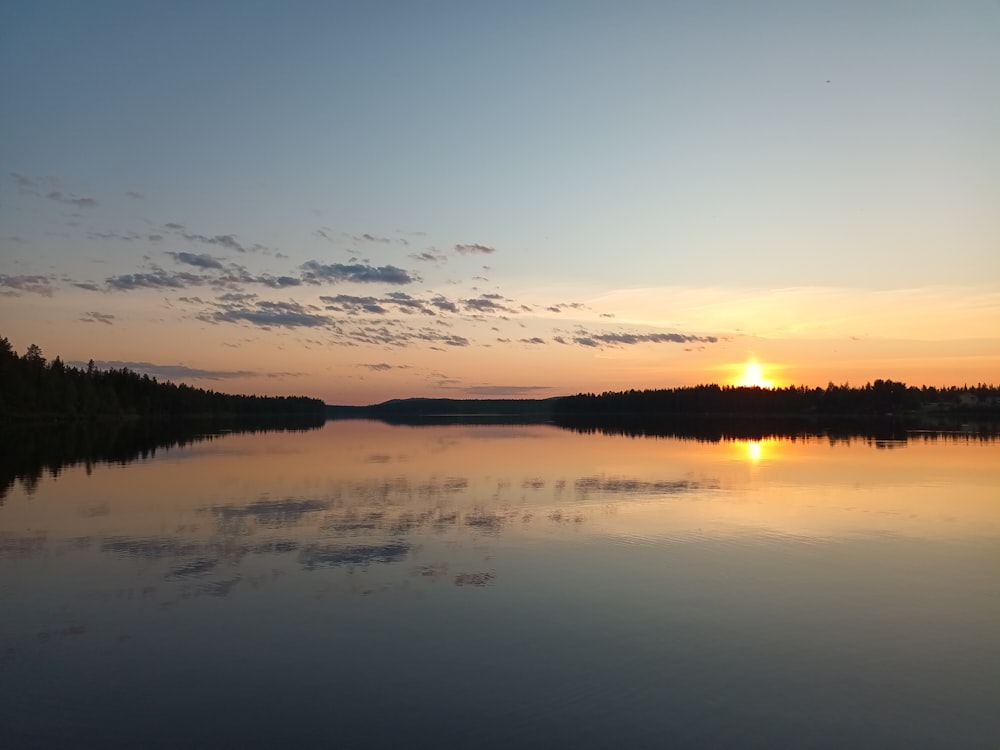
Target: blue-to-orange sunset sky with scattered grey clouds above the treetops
359	201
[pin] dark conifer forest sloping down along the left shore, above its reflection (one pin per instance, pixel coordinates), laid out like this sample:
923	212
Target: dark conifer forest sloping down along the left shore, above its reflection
34	389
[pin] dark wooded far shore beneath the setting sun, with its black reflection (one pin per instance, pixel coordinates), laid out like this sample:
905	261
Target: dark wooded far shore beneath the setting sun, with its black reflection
714	410
